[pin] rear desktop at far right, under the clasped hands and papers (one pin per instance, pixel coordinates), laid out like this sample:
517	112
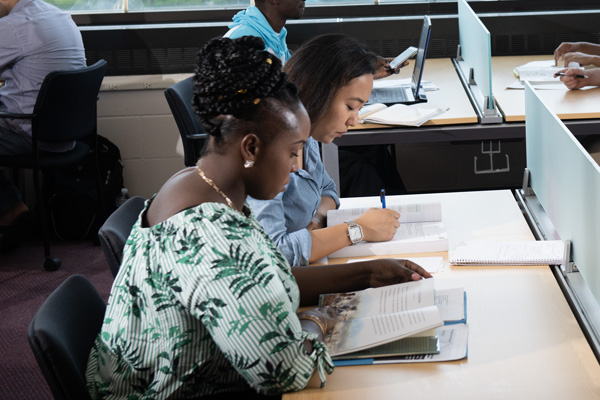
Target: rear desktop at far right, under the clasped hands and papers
567	104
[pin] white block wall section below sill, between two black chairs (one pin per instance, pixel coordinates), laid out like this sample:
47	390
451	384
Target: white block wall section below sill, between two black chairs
133	113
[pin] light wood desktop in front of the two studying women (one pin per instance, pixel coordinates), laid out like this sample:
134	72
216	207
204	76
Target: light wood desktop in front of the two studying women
524	342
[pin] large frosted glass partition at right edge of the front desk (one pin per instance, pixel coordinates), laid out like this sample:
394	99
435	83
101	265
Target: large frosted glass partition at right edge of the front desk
566	181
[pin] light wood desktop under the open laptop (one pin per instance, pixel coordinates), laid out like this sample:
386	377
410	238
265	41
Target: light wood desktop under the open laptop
451	93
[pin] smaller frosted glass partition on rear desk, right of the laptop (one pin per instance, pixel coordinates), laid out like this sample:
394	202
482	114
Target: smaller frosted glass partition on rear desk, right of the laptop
476	51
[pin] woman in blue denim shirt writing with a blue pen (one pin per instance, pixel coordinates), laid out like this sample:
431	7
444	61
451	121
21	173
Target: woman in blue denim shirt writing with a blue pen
334	74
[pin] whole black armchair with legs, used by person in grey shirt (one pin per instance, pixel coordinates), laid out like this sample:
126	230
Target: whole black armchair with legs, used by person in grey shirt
65	110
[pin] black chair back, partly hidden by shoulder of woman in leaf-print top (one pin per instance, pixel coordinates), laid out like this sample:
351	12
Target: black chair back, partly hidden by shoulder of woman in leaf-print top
114	232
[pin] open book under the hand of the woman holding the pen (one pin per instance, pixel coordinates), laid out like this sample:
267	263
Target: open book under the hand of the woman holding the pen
421	230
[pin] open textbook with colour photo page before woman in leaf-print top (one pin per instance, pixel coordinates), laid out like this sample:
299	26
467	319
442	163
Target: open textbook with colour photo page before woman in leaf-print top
374	317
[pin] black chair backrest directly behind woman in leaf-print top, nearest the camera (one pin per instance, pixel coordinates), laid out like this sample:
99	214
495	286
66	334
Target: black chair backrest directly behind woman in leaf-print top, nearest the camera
61	335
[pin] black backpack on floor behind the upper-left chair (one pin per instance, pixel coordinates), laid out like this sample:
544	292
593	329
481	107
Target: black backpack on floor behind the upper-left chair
72	197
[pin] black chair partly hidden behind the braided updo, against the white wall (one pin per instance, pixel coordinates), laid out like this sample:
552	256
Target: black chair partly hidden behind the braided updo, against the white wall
179	97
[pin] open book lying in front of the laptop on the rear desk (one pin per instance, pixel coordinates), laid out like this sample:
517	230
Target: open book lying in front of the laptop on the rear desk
401	114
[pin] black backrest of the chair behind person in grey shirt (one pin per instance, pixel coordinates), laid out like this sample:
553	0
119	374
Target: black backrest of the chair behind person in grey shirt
65	108
